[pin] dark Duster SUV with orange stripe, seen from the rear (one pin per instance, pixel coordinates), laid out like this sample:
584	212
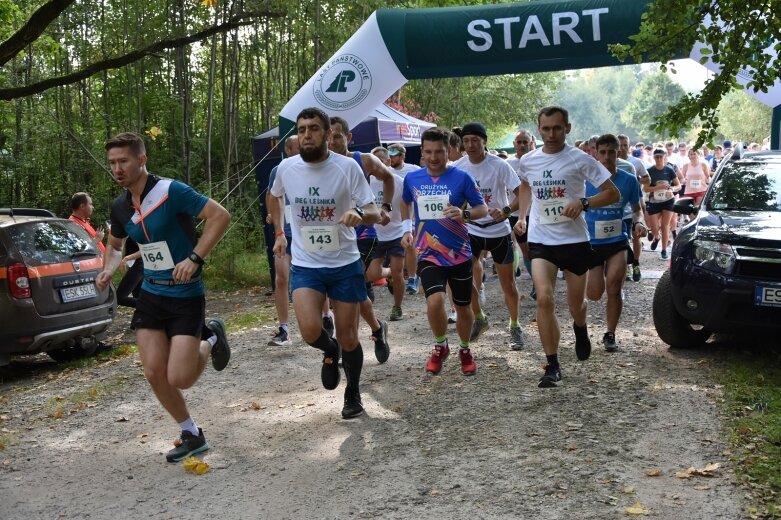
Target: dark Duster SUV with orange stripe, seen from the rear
48	298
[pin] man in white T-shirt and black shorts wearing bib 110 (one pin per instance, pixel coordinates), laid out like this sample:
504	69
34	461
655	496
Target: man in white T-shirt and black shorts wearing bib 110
554	188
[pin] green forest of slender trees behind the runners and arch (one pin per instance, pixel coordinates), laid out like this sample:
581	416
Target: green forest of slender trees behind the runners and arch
199	100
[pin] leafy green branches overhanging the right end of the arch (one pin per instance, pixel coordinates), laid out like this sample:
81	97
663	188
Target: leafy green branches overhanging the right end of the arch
738	43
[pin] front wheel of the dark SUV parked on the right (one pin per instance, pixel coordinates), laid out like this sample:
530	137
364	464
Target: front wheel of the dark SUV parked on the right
672	328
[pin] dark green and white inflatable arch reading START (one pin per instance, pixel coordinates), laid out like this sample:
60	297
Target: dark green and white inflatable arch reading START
396	45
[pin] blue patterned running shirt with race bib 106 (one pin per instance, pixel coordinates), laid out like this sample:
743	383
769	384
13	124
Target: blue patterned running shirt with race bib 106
441	241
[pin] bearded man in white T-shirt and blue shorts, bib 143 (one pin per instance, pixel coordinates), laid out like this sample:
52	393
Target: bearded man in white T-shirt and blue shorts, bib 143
328	196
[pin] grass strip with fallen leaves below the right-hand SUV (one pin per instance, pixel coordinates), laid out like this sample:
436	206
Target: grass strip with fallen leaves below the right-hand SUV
752	388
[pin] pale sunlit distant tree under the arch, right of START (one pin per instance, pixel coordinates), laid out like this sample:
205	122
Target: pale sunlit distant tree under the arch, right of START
649	102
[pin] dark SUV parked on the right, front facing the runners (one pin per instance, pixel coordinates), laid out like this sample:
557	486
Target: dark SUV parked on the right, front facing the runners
725	266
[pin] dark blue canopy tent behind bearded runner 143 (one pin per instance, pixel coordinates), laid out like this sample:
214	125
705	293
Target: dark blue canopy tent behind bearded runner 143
383	126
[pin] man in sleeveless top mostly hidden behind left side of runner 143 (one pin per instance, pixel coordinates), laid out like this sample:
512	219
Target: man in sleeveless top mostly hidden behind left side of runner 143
282	263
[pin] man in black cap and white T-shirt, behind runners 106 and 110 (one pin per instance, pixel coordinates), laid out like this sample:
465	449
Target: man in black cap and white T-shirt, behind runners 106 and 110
495	179
